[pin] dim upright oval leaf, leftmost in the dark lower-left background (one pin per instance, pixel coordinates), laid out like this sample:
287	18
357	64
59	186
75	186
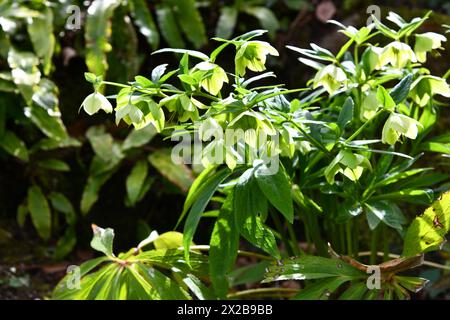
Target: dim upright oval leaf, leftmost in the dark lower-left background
40	211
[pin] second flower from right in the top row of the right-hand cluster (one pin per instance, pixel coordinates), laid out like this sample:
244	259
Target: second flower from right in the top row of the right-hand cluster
397	54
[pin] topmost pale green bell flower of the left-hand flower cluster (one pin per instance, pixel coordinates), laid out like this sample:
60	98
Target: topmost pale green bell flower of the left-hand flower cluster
252	55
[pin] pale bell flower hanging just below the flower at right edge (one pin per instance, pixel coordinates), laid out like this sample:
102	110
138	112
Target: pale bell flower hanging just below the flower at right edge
398	125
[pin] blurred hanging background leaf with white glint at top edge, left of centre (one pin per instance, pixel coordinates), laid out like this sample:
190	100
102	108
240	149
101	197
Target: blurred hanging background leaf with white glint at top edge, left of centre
144	20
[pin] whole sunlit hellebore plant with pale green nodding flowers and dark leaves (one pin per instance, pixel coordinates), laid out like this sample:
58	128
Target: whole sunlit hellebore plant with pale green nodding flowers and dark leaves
347	150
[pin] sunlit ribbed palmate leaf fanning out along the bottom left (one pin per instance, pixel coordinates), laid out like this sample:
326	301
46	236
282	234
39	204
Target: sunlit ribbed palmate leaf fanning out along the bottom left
154	274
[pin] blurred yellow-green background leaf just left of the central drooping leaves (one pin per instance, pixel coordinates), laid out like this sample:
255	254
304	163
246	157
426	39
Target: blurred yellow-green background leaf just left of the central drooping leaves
178	174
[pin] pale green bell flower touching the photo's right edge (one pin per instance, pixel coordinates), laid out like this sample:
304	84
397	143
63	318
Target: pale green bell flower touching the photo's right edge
425	87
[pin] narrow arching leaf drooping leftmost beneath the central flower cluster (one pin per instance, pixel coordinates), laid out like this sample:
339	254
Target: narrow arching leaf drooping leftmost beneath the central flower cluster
204	194
